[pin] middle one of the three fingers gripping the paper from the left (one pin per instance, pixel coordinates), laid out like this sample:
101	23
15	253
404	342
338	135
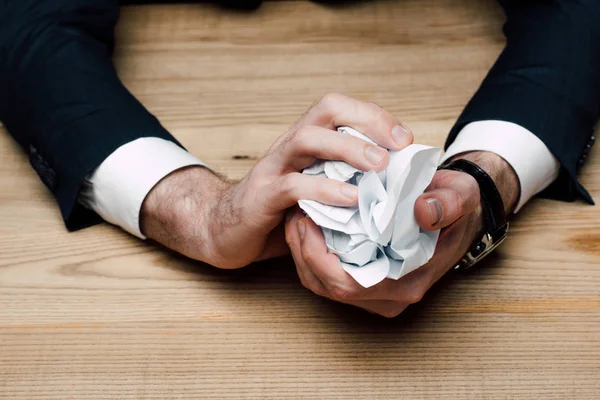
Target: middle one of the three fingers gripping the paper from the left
310	142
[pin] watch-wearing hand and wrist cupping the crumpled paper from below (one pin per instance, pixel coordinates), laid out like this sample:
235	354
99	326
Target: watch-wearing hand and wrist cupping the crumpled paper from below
451	203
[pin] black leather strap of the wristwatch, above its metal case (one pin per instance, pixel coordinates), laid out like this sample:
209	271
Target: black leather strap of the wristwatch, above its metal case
492	204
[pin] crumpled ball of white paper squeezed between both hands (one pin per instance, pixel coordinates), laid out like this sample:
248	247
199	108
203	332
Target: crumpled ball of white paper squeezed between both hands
380	237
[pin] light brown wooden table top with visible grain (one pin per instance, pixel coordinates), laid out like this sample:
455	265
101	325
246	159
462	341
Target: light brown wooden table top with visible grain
98	314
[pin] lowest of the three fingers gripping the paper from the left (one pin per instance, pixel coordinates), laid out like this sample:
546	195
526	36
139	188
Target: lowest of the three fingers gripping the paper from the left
287	190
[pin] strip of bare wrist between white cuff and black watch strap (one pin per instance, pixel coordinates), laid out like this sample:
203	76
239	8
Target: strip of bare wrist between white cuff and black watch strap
502	174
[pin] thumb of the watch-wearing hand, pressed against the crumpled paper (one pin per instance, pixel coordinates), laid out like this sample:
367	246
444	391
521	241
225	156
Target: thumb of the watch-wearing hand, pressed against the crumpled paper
450	196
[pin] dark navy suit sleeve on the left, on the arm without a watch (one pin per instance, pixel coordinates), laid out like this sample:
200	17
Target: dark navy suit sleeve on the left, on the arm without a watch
60	96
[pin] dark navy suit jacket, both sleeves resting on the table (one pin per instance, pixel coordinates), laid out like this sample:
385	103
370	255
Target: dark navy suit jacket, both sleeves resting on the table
61	99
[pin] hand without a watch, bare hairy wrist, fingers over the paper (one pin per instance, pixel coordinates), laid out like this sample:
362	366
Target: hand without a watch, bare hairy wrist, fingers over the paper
229	225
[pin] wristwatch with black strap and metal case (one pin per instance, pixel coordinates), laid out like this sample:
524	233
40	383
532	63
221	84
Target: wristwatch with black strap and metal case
495	220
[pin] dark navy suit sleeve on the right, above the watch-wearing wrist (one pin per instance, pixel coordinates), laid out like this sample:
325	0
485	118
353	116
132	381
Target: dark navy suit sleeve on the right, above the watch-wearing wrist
547	80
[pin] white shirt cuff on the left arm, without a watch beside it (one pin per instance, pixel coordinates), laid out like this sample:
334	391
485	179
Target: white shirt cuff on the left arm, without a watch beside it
118	187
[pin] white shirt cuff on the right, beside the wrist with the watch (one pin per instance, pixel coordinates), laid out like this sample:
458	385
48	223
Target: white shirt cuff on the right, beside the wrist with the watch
533	163
